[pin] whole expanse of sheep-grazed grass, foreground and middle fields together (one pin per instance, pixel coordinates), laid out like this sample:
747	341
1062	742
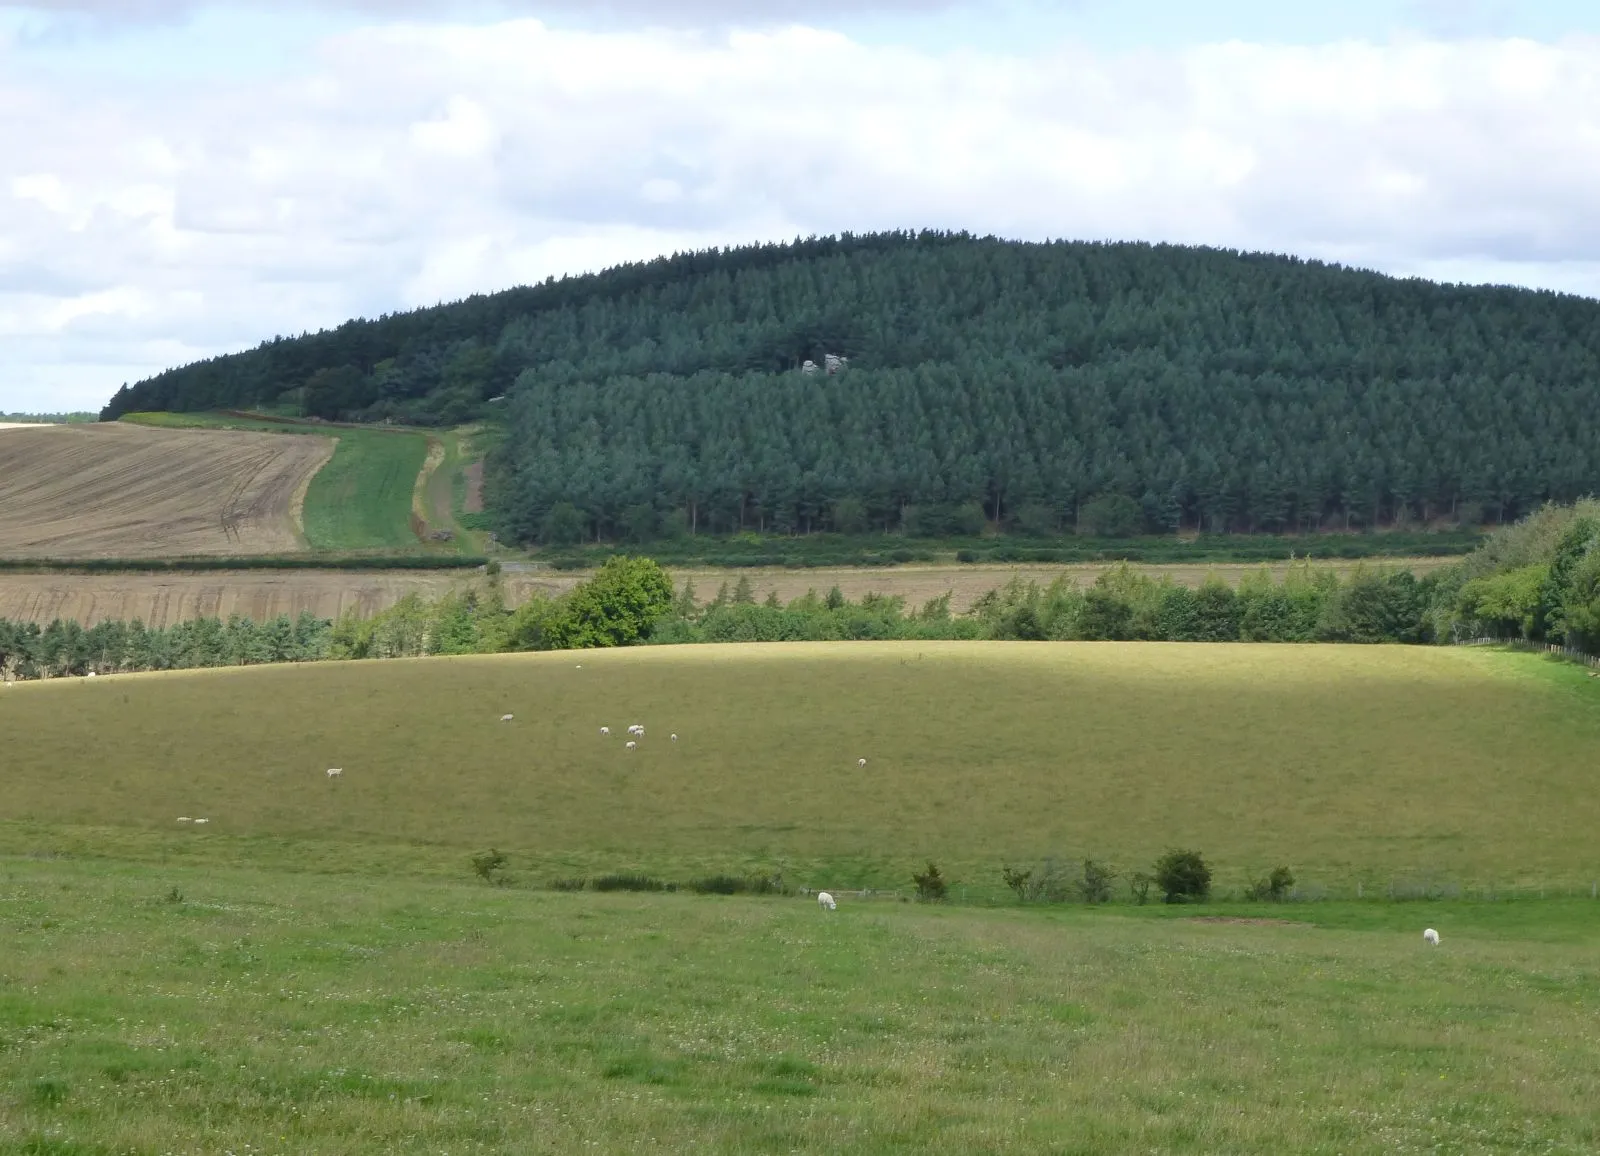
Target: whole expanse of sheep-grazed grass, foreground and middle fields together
318	971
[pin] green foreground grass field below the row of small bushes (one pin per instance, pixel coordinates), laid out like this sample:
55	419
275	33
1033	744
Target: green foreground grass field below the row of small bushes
178	1009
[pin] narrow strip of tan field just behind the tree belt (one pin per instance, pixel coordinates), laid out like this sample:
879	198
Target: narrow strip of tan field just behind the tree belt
162	600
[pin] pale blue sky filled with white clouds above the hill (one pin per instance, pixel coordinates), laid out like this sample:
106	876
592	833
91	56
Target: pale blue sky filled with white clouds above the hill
182	179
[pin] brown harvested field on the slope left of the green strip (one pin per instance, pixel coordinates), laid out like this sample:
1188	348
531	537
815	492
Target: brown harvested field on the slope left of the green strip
118	491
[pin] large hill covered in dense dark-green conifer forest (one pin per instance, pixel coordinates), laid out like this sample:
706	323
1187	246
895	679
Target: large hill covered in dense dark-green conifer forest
985	379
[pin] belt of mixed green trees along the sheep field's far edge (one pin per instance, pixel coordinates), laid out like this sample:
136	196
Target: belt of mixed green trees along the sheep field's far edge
1538	580
